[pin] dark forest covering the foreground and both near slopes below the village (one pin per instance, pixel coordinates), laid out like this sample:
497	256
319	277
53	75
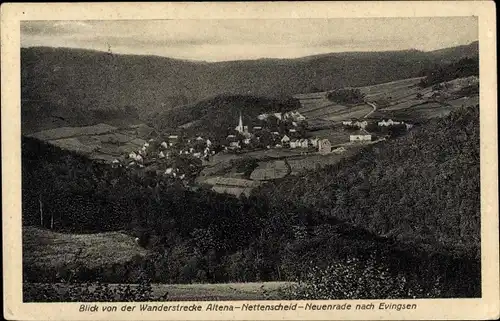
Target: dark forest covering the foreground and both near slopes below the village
409	207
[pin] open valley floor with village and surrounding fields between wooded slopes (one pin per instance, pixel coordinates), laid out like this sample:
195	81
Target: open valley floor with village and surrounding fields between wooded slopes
327	127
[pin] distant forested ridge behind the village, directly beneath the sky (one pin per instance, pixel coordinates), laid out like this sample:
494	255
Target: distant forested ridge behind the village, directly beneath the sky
72	83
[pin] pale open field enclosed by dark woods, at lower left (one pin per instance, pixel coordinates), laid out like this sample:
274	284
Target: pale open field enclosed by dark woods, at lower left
45	248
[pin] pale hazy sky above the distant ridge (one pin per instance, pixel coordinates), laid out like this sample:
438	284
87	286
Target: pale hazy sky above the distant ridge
238	39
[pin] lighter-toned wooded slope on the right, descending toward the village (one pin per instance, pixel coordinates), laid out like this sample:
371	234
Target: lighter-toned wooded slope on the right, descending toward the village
422	188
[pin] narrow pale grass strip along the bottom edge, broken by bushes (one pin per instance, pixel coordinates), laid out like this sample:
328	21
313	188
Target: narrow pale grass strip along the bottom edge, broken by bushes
193	292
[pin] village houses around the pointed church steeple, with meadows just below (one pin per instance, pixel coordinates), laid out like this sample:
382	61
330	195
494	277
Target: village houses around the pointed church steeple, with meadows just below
273	143
